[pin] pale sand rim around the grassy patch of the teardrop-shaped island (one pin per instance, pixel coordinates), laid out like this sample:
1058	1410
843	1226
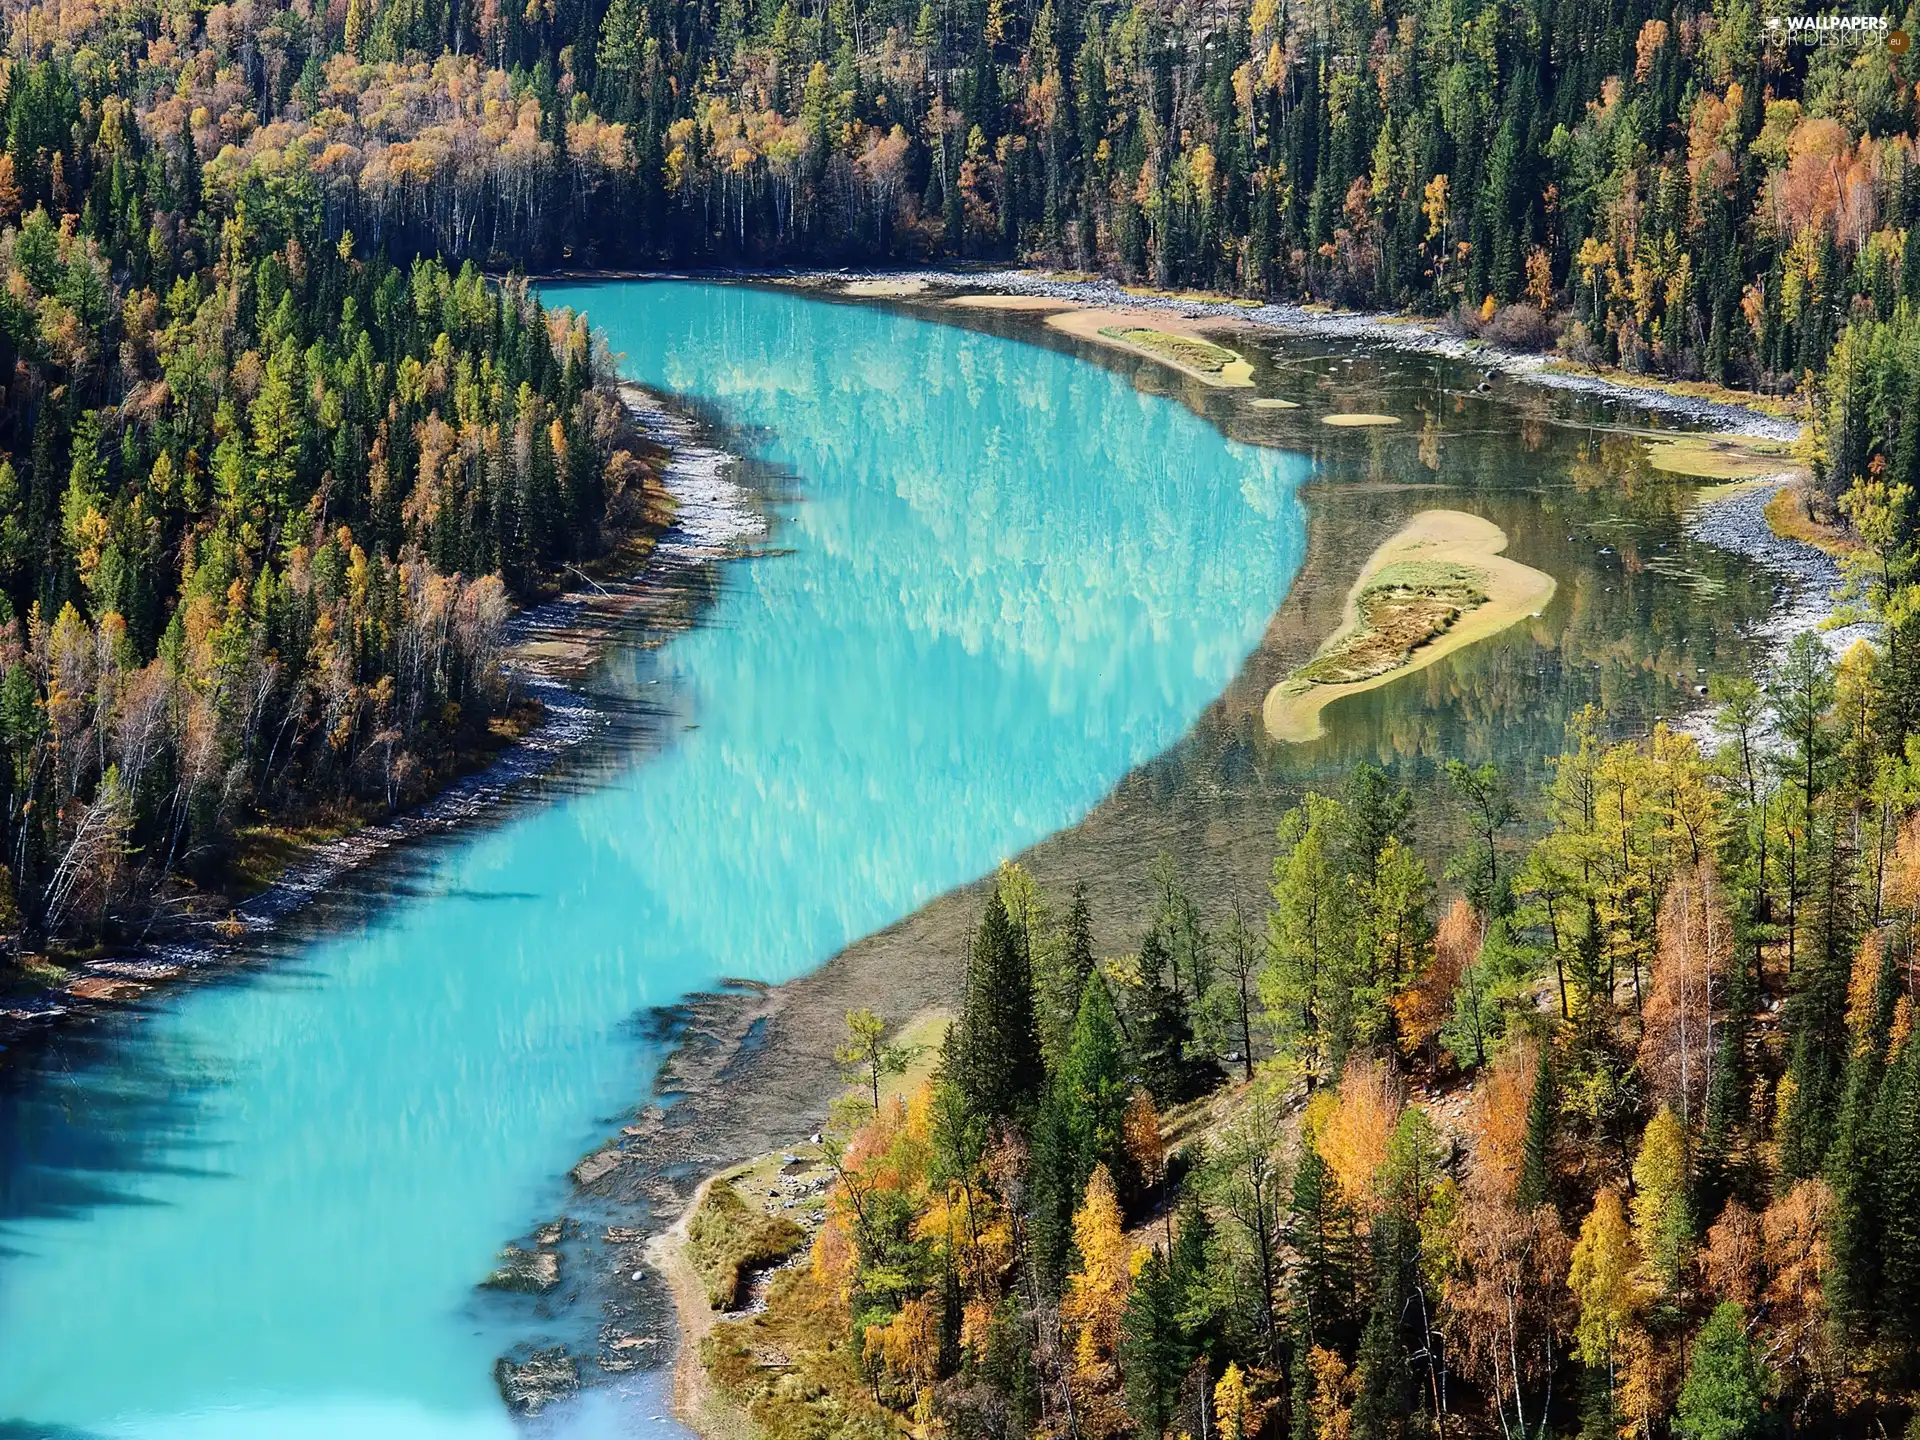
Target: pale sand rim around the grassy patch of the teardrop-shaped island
1514	592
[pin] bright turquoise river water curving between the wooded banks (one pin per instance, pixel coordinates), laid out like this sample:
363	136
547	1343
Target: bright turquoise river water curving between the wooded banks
997	581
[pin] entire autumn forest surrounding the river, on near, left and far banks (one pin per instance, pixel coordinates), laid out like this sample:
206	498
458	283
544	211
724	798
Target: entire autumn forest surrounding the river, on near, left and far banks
1614	1128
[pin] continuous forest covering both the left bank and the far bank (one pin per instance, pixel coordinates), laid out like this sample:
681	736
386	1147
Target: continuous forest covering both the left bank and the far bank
279	446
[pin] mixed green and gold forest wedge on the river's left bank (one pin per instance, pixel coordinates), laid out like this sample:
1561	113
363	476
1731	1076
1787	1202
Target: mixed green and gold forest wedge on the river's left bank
268	500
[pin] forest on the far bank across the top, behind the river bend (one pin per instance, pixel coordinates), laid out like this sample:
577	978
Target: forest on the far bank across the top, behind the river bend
1664	187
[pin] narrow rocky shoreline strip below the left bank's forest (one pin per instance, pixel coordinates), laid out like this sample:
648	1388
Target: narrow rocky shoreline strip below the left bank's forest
550	648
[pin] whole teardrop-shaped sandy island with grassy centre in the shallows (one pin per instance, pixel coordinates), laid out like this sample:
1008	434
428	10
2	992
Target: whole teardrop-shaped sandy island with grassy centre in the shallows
1433	588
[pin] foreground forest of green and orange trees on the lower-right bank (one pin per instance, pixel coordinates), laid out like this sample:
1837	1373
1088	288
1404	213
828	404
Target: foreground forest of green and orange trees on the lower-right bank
1610	1130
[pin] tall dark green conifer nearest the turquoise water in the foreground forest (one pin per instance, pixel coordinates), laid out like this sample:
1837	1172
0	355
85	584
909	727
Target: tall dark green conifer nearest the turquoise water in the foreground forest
994	1053
